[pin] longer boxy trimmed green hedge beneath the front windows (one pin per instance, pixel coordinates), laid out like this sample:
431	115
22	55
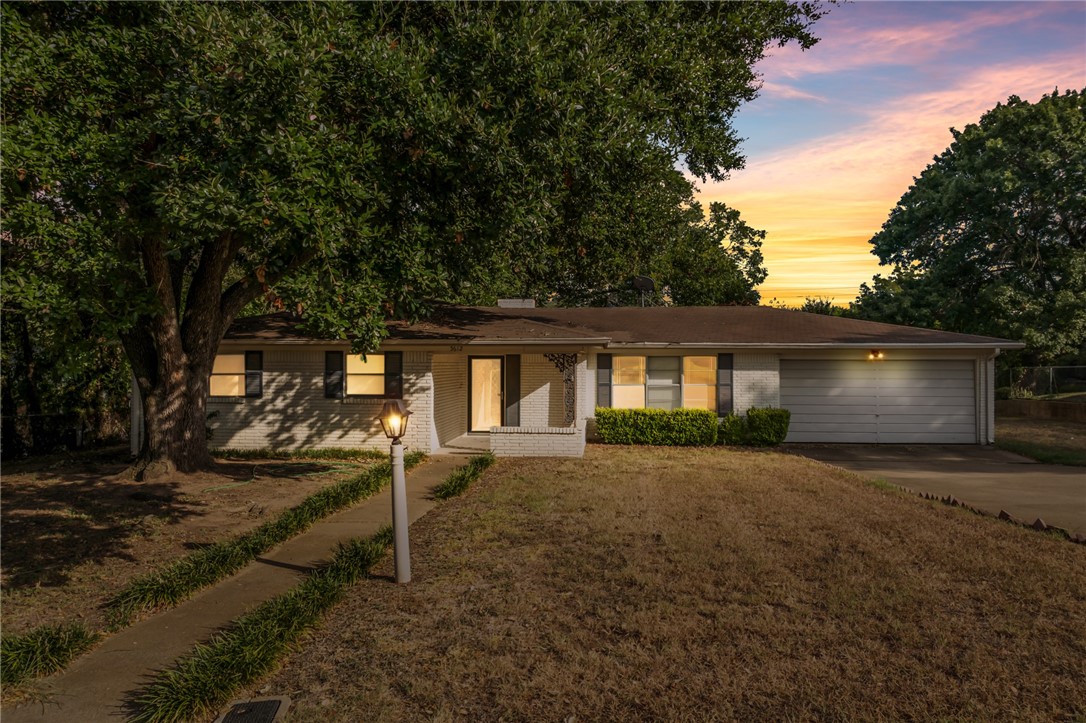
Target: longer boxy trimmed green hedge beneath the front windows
675	428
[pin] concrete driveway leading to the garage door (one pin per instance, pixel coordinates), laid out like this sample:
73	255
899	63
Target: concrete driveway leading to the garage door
986	478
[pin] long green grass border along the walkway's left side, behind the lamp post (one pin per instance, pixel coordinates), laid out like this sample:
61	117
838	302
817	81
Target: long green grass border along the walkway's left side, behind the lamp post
181	579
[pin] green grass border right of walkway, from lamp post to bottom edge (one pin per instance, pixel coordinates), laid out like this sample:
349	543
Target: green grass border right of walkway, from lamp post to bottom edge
205	681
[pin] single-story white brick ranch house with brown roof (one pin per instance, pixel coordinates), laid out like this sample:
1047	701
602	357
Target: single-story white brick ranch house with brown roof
522	380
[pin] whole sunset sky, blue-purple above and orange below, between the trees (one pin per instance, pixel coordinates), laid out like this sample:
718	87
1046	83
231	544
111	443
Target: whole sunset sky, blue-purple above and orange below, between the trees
841	131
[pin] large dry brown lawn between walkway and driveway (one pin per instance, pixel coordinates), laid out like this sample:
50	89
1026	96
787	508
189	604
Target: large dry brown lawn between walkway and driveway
703	586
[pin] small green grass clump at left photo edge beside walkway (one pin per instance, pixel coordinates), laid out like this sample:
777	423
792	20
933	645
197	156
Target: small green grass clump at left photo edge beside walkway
42	652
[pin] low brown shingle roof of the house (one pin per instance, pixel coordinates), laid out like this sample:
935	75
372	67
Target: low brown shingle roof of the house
723	326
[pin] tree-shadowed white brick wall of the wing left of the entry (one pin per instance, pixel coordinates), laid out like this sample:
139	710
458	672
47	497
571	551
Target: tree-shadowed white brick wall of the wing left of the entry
294	413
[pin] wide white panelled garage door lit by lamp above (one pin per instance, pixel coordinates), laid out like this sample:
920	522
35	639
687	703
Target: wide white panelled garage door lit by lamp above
880	402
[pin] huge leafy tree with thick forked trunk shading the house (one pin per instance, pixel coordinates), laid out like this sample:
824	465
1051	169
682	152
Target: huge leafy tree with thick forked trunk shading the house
176	162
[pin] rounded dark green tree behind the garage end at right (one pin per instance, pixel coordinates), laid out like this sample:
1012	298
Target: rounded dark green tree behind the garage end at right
991	239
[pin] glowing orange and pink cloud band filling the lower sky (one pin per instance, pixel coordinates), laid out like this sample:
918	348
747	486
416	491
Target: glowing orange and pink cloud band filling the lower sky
822	201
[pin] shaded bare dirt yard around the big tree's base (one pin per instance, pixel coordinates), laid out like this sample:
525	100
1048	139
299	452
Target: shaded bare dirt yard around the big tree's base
75	532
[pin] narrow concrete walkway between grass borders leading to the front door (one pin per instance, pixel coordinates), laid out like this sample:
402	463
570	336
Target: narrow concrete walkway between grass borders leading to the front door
97	686
